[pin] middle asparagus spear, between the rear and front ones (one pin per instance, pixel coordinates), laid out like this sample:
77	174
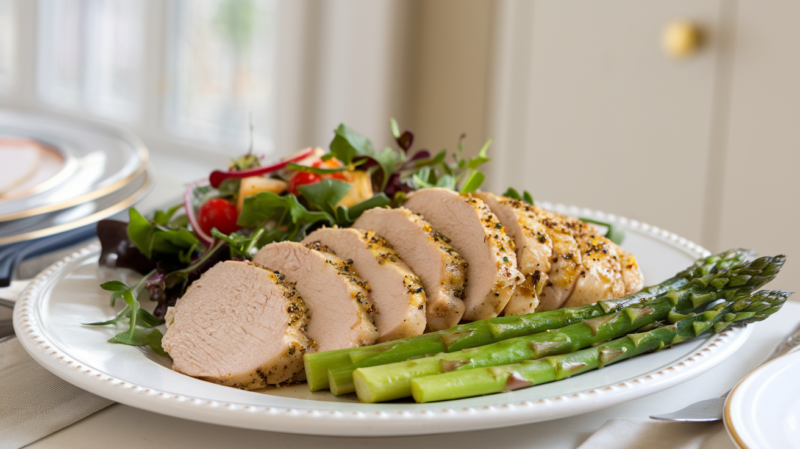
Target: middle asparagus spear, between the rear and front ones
393	381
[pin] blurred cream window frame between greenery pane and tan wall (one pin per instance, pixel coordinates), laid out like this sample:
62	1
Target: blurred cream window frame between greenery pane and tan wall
347	63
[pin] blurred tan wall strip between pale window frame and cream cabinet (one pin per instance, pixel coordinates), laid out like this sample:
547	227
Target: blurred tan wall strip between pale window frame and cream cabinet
451	66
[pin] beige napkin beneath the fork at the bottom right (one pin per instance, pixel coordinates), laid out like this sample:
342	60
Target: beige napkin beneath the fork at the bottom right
655	434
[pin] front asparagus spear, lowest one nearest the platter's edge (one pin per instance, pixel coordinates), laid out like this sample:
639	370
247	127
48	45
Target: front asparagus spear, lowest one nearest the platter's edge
461	384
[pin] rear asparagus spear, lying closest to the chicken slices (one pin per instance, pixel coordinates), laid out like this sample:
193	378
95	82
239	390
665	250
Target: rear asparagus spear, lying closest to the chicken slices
334	369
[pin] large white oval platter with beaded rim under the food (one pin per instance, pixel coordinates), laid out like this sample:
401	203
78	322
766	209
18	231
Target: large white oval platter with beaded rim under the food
48	316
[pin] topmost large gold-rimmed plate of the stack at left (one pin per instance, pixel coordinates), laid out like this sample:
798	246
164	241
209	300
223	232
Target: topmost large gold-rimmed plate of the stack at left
77	163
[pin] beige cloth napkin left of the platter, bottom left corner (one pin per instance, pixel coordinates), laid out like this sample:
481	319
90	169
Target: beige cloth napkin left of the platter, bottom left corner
35	403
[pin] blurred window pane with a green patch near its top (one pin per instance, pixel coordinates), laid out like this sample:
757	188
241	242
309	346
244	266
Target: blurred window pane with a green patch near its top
220	69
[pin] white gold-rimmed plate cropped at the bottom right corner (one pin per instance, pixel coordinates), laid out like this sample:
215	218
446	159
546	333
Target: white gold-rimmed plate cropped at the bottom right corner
763	410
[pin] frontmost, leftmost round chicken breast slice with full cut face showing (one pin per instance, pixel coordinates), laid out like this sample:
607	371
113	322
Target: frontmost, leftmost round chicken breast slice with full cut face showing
239	325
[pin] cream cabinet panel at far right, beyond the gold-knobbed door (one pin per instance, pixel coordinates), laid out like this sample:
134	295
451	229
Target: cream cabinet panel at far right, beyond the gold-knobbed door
760	207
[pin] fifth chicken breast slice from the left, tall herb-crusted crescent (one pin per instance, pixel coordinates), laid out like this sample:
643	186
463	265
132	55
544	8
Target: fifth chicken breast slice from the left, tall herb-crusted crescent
476	233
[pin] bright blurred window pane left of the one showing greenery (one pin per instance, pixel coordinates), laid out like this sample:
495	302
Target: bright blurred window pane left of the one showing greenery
90	55
